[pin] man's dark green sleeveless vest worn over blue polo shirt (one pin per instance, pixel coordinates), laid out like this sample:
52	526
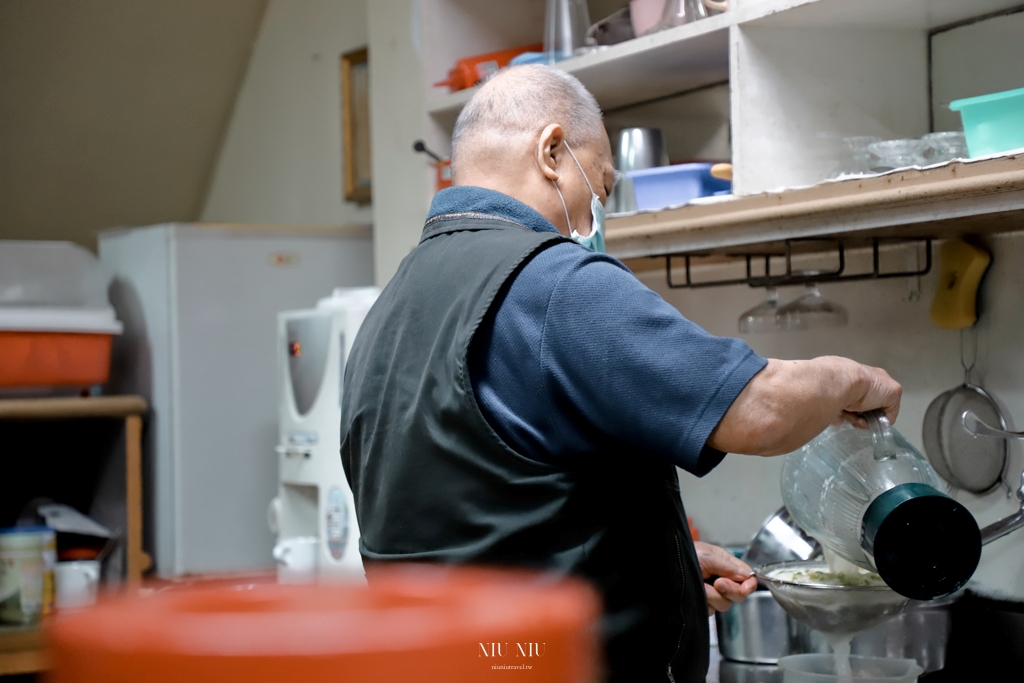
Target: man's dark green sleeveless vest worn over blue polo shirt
434	483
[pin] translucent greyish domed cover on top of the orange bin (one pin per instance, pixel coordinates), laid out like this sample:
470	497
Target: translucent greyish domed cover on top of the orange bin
51	274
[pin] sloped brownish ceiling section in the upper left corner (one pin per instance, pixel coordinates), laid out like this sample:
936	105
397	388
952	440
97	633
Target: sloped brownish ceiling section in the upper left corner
112	112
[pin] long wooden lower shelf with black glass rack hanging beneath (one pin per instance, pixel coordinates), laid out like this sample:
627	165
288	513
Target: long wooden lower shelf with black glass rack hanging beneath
952	201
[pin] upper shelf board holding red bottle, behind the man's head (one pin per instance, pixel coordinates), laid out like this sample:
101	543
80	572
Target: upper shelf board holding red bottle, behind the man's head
636	71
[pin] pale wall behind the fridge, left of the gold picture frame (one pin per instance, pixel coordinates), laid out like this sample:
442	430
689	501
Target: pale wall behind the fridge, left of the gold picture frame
281	162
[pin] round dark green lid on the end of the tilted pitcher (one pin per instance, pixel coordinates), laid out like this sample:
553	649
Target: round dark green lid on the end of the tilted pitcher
925	544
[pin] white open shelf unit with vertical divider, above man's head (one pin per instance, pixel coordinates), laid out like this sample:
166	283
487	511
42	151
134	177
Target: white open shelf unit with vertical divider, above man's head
803	75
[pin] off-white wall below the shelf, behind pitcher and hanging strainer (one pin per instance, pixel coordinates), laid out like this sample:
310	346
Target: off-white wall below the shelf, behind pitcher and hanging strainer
890	328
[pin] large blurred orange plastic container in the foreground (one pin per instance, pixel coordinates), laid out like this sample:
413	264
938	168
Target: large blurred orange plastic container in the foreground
430	625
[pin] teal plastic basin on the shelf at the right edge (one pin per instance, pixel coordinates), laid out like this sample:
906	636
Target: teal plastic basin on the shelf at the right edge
993	123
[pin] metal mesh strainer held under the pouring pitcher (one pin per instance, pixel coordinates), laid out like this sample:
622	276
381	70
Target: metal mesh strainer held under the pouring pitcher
837	611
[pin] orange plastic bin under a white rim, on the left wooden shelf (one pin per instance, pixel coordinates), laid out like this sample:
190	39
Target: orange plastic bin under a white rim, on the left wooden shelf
54	359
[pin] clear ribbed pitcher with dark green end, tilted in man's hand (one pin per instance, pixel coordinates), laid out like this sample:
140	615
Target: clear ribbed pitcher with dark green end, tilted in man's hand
871	498
